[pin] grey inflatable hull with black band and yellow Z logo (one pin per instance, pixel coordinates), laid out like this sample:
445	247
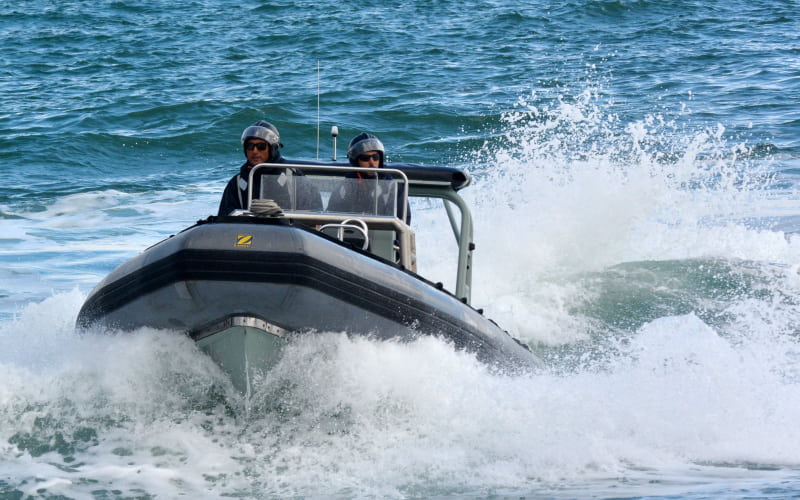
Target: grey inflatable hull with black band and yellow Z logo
286	280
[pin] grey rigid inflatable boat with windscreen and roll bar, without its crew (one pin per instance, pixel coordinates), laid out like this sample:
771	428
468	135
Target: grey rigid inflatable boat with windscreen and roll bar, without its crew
320	248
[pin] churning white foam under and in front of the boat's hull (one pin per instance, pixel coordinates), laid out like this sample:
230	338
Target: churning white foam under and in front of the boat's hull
149	411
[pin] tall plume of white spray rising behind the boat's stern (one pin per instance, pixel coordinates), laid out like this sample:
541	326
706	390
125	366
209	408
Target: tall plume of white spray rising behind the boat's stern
572	191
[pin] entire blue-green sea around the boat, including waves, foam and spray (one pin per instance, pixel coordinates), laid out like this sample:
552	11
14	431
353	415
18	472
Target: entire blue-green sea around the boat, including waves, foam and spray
636	170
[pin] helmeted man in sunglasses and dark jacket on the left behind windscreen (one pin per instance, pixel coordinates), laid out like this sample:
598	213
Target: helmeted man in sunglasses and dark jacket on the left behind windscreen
262	142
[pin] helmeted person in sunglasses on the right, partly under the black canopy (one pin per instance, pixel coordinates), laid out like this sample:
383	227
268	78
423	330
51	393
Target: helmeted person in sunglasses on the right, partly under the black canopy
366	151
